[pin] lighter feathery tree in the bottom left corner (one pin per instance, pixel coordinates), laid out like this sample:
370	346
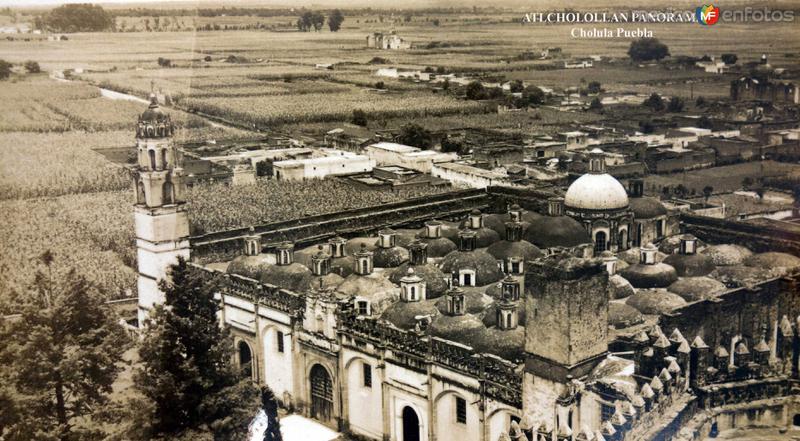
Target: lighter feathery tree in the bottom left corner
59	361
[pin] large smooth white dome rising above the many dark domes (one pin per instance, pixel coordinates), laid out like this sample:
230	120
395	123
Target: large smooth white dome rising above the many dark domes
595	191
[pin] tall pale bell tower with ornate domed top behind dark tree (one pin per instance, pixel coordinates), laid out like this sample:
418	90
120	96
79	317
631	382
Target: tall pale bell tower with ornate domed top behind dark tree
160	218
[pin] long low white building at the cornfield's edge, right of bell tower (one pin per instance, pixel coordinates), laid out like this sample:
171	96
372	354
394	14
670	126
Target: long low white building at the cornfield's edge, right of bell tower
318	168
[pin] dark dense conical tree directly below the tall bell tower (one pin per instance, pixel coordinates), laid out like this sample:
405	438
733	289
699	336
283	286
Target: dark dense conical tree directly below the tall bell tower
187	370
